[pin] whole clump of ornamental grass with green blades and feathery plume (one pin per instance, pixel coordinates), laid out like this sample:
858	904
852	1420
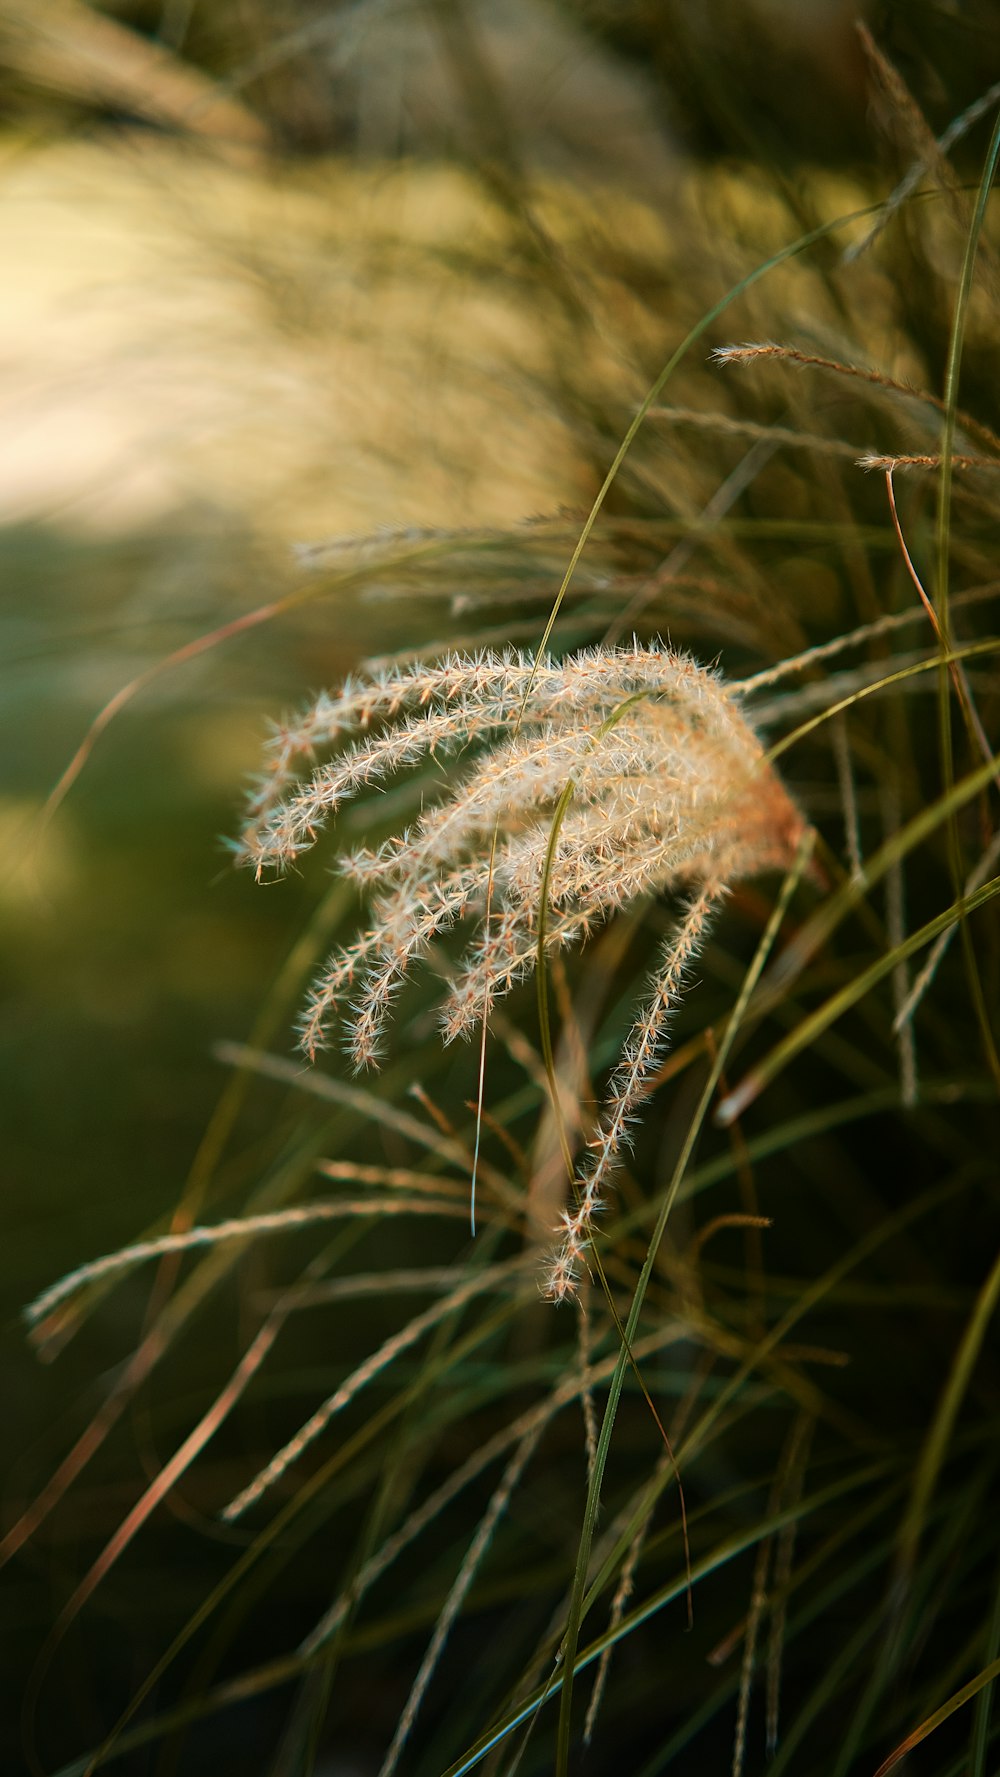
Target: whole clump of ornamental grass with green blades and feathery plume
575	1344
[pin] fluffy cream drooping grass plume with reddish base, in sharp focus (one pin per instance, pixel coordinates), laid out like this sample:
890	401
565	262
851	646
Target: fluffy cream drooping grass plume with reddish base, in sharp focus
660	785
